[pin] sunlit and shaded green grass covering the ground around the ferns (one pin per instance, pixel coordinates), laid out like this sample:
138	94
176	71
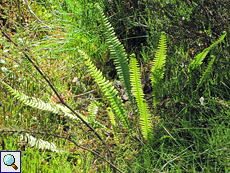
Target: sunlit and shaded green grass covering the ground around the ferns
189	138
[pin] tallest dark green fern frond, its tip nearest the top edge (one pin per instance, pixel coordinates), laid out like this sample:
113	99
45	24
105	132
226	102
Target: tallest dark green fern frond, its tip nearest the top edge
118	54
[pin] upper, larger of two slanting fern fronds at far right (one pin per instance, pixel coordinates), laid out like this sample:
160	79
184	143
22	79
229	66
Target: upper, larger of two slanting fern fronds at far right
200	57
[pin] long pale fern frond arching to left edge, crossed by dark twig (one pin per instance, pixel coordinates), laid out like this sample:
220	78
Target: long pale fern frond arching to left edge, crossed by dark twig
40	104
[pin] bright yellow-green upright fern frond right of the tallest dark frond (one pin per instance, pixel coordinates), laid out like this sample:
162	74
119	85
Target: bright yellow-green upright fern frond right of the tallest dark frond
138	93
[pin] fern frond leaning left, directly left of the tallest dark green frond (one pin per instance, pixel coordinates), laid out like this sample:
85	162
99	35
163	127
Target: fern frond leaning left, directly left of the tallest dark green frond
108	90
